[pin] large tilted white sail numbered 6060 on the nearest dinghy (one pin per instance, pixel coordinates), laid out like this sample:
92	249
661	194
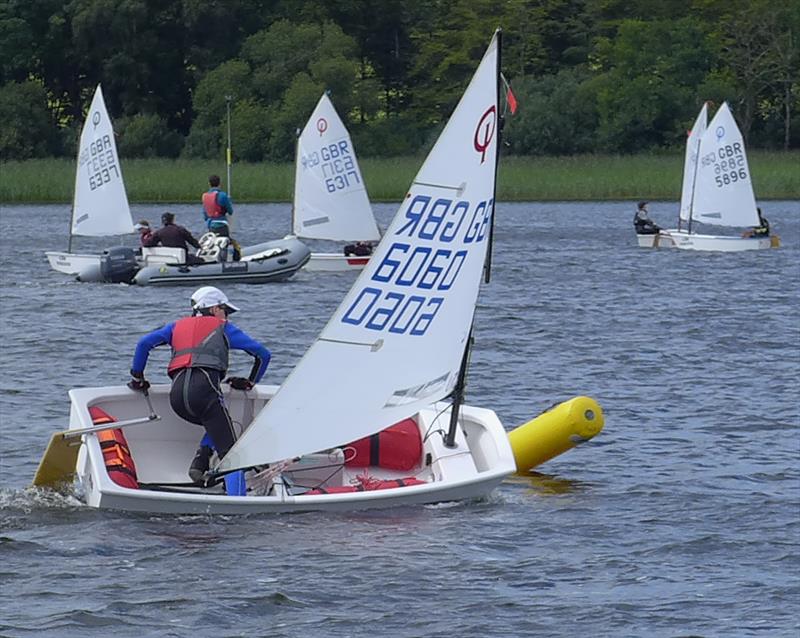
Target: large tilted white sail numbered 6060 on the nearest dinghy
396	342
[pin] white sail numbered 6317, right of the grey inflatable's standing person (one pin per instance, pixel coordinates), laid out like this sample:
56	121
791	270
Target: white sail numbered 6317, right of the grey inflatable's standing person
330	199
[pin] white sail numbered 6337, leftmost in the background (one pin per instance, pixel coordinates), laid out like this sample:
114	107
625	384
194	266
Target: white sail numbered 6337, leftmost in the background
101	203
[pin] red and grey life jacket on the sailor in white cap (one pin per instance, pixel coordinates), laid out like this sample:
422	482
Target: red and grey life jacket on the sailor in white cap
198	342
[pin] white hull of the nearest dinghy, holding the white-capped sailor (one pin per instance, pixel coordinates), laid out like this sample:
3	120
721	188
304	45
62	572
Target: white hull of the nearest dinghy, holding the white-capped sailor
162	451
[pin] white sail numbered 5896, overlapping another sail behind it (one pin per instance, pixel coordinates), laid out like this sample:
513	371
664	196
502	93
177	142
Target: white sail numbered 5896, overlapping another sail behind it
723	190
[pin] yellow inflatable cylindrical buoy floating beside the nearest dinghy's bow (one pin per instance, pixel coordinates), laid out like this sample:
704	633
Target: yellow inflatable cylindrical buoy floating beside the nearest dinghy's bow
555	431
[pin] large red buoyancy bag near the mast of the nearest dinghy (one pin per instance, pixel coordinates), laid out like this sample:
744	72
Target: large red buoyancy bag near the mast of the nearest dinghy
398	447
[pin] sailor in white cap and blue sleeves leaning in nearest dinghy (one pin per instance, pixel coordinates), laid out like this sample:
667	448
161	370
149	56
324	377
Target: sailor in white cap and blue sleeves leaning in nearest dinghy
200	346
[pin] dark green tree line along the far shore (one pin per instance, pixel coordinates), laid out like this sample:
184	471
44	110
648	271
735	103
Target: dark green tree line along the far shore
589	76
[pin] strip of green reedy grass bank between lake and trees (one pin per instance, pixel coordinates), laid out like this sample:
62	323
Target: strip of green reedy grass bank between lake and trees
776	175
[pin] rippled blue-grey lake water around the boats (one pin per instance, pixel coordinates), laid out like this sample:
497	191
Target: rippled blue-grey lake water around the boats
682	518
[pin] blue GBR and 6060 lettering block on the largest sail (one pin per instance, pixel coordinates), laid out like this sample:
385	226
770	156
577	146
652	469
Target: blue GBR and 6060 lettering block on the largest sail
410	284
